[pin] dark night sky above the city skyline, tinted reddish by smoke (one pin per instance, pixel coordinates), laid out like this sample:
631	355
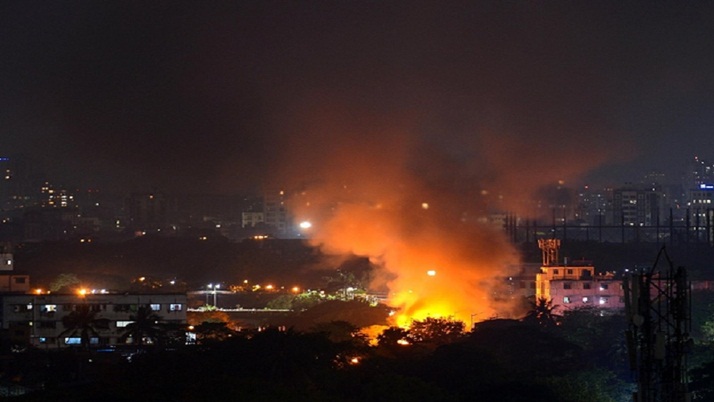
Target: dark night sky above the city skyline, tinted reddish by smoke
227	97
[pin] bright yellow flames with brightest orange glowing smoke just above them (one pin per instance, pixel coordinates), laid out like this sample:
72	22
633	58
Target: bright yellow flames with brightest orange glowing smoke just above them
432	266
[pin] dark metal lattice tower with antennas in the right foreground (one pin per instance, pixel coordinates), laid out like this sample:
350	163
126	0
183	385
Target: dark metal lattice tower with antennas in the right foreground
659	313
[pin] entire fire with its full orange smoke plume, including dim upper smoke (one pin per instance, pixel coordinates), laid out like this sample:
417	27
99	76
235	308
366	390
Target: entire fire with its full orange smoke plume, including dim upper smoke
419	204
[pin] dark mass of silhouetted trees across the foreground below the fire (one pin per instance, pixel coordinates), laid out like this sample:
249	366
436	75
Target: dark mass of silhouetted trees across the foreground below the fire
435	360
